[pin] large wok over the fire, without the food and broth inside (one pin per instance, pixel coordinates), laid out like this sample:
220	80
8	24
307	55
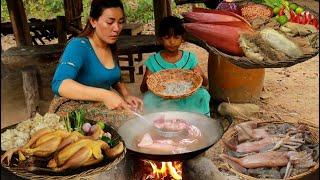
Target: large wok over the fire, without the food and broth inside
211	129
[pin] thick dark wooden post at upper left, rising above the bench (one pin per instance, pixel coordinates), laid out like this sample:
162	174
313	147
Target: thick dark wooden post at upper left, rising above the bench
19	22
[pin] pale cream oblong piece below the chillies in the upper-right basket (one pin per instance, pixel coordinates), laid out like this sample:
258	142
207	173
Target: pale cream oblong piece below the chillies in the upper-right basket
280	42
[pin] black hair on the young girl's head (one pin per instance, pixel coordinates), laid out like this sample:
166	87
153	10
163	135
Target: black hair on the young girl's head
171	26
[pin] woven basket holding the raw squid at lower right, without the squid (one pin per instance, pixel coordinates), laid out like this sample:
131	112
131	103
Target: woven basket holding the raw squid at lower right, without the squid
314	135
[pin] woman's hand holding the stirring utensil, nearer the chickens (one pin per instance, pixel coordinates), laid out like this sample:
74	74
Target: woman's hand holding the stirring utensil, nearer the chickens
114	101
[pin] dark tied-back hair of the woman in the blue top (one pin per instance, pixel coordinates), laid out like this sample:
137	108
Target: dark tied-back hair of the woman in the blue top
96	10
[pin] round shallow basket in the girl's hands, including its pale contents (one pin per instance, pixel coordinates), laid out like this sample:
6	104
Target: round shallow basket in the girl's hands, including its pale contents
174	83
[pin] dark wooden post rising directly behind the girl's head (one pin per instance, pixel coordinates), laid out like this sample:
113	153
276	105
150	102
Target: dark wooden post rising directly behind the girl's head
161	9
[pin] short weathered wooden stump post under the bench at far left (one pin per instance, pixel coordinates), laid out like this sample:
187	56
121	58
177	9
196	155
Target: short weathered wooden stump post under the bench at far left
30	89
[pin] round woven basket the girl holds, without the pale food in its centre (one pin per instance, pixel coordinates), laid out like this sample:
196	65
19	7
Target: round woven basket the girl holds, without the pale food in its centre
156	82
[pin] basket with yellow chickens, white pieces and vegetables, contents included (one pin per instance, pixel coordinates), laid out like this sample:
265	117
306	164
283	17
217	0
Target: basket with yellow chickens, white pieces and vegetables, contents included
50	147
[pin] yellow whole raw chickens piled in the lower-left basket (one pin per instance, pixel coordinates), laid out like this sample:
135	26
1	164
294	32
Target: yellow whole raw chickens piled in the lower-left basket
70	149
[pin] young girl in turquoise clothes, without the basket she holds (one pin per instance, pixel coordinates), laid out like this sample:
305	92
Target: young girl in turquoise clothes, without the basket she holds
171	32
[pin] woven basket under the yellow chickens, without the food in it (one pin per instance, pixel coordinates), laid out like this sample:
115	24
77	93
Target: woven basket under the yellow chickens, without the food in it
79	173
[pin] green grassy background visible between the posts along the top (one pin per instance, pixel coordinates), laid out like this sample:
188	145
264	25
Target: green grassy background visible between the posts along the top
136	10
